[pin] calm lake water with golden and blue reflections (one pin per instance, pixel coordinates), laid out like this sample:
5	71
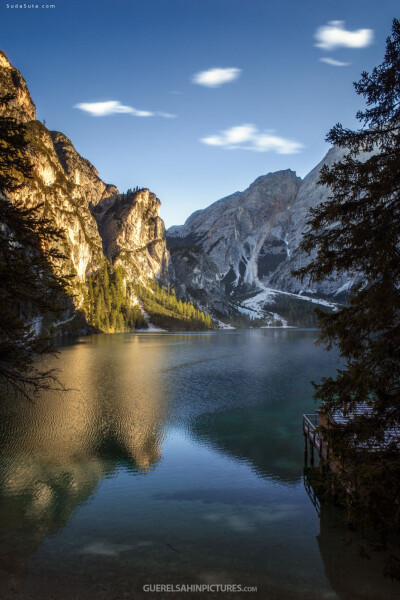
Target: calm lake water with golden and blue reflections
176	459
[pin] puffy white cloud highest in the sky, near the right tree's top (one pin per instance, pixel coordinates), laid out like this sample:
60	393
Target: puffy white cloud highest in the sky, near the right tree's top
334	35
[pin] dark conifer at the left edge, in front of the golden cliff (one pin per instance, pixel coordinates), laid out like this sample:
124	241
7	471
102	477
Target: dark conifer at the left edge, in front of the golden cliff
30	281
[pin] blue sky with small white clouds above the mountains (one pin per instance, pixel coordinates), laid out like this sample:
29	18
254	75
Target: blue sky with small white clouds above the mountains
274	105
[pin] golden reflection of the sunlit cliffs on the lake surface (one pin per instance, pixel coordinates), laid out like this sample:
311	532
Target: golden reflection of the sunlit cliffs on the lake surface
55	452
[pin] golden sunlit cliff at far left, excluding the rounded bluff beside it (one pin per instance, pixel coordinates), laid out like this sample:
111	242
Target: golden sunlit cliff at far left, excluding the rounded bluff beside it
64	183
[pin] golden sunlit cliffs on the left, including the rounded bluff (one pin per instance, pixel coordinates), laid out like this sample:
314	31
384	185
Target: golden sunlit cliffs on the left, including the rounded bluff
96	218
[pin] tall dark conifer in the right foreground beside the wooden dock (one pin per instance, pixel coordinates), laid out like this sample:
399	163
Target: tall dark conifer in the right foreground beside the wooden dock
358	230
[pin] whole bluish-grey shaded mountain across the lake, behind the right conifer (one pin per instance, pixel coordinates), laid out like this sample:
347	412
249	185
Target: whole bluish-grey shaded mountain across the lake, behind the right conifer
251	239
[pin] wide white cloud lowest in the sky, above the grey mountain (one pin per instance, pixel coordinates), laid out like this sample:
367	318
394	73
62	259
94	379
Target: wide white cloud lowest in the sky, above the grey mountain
248	137
